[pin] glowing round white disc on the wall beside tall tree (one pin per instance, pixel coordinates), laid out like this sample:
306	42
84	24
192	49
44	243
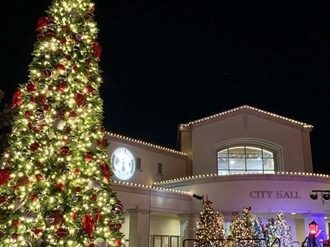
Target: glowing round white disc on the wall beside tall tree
123	163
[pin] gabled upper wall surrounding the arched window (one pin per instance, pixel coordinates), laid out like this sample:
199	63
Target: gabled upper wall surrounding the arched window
208	138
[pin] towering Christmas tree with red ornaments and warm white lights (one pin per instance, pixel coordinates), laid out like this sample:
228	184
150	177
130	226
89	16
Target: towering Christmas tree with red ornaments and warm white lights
55	175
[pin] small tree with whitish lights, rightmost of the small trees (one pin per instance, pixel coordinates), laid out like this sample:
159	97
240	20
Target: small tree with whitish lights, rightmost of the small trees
283	230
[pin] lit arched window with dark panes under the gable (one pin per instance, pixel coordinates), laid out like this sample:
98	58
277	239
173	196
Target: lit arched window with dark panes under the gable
238	159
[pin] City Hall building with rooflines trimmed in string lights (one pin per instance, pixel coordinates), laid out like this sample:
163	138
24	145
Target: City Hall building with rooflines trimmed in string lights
241	157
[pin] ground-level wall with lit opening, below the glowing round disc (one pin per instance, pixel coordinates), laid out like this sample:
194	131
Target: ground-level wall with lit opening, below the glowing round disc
148	208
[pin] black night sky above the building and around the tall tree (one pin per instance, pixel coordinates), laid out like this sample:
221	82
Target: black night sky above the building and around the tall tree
171	62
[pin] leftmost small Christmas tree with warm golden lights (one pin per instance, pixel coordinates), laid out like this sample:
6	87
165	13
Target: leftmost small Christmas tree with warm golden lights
210	226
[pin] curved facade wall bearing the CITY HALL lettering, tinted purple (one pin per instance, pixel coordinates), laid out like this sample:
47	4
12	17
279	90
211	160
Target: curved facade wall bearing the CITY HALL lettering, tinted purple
264	193
